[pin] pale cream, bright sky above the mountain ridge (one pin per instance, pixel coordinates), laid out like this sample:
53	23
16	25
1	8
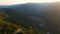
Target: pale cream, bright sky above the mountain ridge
12	2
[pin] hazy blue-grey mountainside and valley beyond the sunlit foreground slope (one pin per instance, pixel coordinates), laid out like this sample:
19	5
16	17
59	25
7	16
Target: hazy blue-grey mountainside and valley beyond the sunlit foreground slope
38	15
